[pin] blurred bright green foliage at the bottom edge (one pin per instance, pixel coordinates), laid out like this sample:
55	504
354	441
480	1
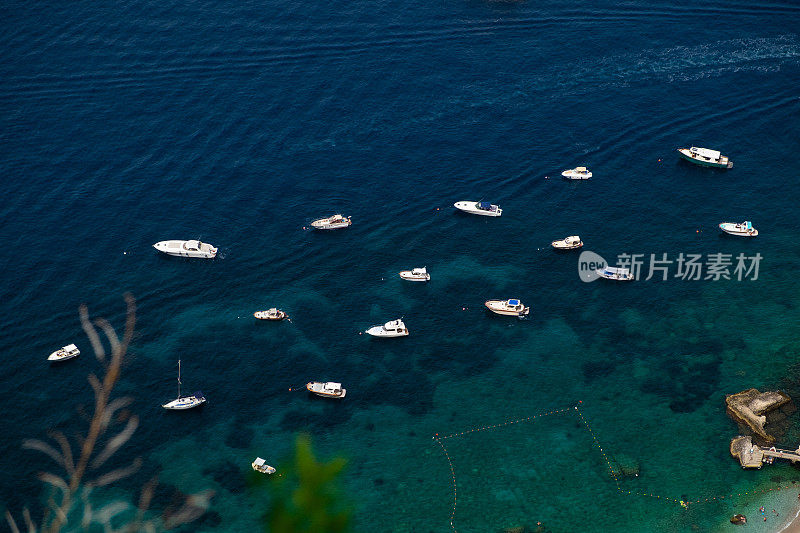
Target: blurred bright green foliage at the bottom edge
305	496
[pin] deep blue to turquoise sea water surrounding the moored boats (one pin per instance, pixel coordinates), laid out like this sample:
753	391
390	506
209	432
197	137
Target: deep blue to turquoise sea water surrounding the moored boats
126	123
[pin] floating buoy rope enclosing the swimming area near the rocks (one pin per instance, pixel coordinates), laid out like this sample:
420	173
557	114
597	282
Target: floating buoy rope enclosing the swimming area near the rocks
614	474
